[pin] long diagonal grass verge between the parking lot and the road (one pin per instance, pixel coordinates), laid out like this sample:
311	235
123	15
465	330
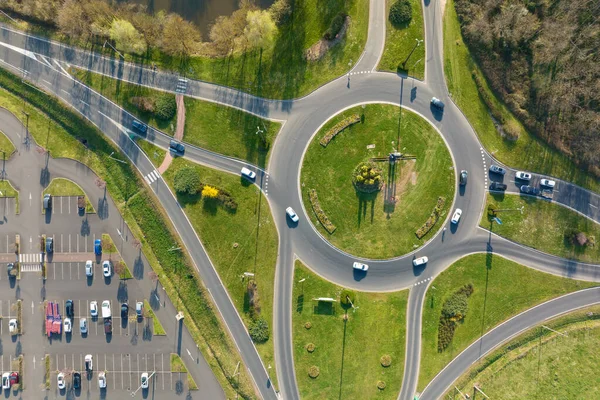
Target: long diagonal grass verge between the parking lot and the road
142	214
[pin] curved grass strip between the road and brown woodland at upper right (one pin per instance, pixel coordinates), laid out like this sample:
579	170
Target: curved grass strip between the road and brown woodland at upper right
527	152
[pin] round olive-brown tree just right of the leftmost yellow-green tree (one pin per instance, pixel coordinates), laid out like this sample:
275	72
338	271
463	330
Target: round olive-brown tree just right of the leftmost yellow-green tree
180	37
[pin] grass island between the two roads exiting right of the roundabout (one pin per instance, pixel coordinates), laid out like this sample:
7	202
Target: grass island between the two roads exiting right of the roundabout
547	236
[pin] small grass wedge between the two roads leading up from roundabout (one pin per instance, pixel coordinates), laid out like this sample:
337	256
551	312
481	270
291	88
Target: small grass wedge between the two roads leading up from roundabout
400	41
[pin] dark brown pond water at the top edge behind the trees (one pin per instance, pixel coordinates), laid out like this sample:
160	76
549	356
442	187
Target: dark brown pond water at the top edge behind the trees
202	12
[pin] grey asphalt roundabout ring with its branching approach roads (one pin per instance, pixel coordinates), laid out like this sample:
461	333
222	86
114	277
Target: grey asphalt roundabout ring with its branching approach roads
45	64
